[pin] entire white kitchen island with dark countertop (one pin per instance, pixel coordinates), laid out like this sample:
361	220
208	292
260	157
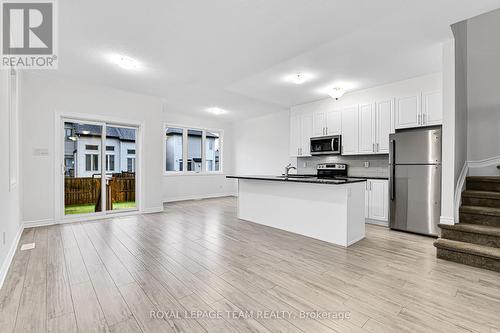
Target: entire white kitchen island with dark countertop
331	210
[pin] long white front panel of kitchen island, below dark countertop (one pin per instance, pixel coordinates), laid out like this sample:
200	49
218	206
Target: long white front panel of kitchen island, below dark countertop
315	210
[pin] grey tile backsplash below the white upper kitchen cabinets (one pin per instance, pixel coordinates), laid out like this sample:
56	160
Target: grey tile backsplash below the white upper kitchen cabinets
378	165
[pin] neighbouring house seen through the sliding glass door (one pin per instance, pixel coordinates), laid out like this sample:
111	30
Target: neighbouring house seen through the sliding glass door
82	150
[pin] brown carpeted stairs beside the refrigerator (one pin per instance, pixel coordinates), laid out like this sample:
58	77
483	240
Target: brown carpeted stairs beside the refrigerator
475	241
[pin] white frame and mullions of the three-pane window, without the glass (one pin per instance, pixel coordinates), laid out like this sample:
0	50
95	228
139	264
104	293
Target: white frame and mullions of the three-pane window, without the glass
185	144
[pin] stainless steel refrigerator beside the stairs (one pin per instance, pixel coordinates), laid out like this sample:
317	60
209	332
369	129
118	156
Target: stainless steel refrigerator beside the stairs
415	180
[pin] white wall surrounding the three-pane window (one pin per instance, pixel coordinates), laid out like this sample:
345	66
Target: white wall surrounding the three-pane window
196	186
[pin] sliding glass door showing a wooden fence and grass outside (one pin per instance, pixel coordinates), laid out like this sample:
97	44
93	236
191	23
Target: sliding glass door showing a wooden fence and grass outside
99	167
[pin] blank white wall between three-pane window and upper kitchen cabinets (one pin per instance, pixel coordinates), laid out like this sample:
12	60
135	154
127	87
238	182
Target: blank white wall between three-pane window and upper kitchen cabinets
261	145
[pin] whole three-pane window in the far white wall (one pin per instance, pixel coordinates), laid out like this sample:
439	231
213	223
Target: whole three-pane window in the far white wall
192	150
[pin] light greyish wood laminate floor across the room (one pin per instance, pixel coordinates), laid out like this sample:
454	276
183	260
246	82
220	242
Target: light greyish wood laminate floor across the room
110	275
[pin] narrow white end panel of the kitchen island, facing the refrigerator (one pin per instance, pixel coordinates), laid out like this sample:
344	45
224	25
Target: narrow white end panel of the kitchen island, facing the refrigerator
355	216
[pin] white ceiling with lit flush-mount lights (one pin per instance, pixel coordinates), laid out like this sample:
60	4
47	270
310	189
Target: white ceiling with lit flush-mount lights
234	53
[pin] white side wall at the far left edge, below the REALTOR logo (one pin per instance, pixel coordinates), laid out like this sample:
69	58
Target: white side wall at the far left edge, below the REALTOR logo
9	190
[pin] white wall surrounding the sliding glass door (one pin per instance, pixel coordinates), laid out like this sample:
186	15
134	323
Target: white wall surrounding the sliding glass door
43	97
